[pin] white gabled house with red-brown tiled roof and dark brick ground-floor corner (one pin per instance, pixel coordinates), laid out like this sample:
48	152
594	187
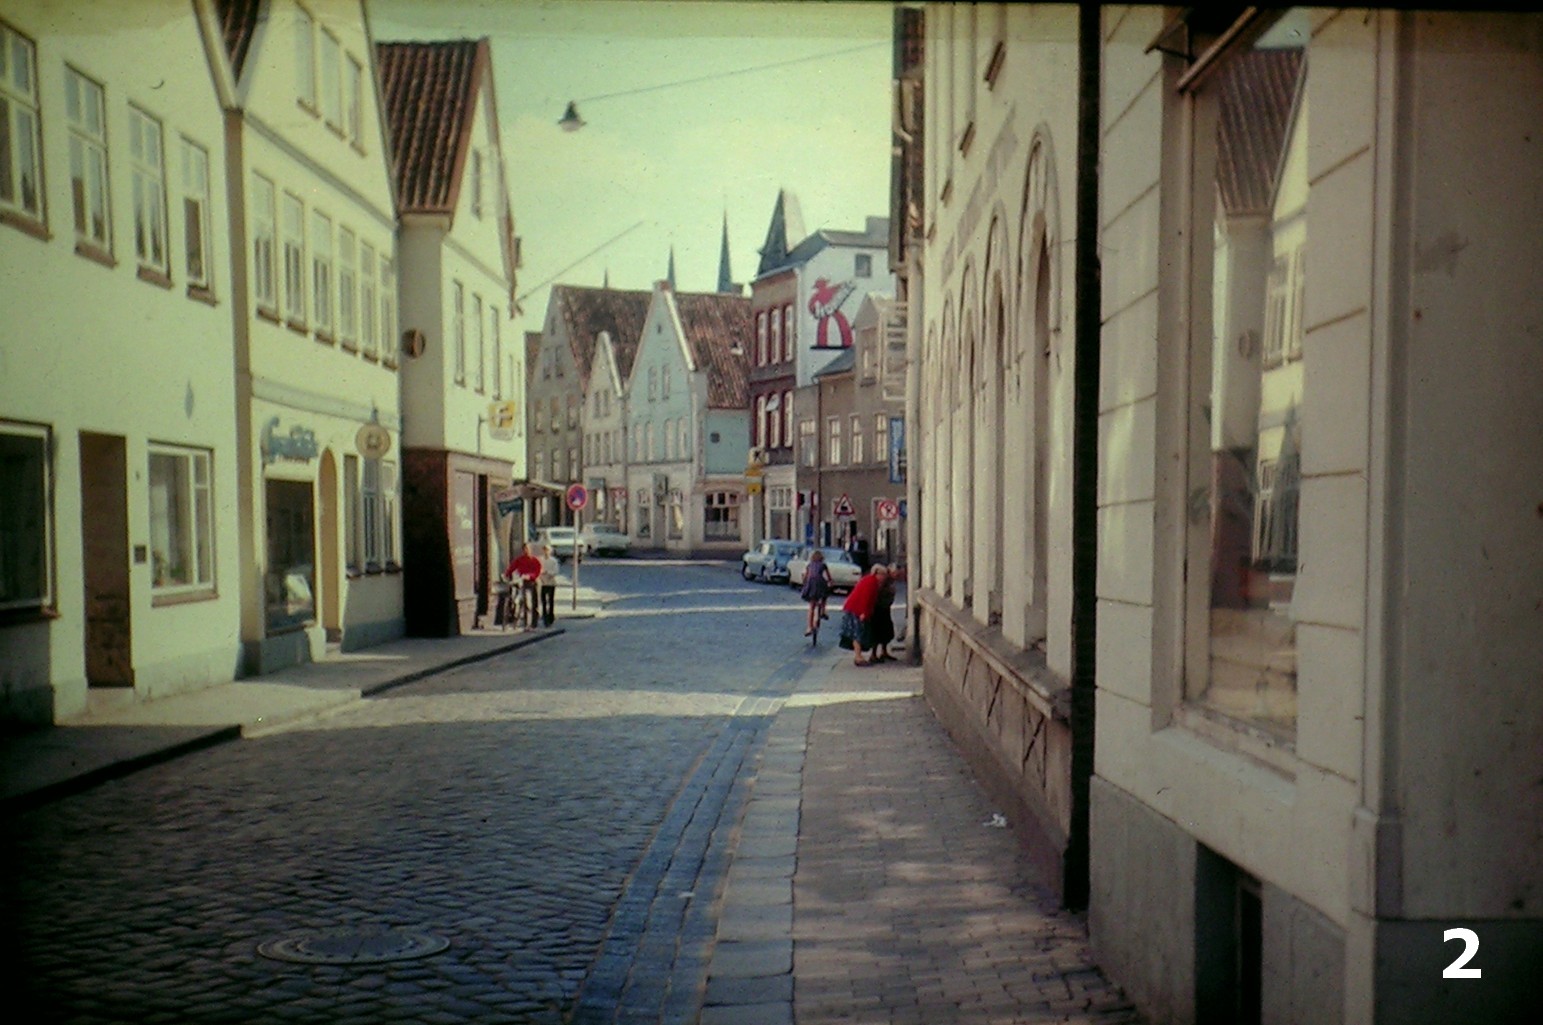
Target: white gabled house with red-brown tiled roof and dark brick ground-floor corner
464	387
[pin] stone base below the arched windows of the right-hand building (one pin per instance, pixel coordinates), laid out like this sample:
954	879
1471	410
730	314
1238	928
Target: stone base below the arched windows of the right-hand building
1010	720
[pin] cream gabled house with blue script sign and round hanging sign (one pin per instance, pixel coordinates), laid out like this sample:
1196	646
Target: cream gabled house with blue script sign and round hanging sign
314	300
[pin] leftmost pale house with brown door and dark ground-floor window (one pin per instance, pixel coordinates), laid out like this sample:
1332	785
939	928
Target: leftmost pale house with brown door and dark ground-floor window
118	450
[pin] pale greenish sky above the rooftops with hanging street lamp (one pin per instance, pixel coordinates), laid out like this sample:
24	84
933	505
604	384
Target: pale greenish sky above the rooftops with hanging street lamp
674	158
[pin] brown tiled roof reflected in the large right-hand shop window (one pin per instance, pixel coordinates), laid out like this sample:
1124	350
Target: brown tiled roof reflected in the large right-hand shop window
1257	96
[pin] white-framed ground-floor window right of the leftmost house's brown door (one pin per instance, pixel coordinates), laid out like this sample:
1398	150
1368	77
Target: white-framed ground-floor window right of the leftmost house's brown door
181	521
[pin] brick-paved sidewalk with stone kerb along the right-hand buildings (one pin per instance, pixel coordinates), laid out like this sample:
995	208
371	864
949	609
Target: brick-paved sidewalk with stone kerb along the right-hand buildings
900	902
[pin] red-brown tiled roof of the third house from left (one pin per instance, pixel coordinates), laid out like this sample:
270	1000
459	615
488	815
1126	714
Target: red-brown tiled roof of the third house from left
430	96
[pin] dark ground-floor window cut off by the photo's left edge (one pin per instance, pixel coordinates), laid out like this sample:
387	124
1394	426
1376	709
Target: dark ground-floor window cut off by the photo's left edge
25	516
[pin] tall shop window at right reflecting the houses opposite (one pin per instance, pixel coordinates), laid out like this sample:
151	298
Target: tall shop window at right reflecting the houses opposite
1251	124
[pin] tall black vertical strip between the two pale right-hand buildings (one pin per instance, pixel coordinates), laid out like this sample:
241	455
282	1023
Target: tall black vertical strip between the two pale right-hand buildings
1086	455
